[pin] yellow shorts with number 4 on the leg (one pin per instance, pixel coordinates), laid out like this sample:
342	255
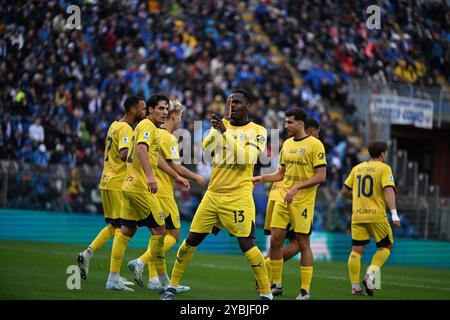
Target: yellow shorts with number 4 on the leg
297	216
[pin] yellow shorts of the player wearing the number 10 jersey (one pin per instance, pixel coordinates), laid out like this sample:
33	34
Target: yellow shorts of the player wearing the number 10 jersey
380	231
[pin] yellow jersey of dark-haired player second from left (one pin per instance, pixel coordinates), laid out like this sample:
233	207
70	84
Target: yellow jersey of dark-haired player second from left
135	180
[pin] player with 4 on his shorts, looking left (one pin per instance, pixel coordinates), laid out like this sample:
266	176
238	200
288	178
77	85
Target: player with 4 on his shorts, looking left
303	168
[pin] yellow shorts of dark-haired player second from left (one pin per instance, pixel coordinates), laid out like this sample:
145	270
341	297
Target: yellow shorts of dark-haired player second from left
141	209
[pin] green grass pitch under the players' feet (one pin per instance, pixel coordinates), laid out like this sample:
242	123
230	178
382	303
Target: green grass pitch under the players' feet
33	270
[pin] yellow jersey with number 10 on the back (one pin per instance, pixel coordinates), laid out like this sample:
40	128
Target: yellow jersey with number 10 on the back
367	181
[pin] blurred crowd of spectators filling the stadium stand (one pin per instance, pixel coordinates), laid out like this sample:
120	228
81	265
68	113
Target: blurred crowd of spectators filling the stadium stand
62	88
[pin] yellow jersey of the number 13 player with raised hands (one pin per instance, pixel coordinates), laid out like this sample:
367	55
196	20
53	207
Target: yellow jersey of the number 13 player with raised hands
229	175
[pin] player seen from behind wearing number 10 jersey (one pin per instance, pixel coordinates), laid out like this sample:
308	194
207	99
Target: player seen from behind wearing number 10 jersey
370	185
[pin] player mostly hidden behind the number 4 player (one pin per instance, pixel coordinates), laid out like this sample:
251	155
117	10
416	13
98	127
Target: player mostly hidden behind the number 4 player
312	128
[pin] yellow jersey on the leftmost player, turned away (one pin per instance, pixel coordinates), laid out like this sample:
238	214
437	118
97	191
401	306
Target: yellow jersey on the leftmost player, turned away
114	169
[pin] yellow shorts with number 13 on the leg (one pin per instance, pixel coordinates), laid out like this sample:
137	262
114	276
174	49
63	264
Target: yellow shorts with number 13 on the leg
235	212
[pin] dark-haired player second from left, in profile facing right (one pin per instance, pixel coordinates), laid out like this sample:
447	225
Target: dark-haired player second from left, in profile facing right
140	206
